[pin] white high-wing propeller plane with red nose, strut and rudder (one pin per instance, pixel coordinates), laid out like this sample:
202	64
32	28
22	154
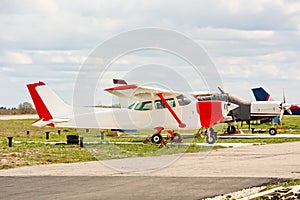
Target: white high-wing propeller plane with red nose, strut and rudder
154	108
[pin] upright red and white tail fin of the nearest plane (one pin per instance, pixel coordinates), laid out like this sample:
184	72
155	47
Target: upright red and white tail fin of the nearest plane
48	105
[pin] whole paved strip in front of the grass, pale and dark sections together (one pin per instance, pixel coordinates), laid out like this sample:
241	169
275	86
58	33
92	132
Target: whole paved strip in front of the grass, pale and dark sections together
186	176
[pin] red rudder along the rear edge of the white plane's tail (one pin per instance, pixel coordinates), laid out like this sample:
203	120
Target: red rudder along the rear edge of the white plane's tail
41	109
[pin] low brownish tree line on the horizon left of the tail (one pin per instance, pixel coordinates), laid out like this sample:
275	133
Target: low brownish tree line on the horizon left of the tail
23	108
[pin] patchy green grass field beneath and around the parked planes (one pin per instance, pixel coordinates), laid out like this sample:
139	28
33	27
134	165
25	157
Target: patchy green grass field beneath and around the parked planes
33	148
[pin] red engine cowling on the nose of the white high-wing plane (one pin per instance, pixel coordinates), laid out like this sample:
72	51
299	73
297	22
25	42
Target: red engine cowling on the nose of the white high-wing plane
210	113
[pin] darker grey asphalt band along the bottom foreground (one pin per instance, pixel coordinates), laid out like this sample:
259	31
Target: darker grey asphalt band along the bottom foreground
116	187
